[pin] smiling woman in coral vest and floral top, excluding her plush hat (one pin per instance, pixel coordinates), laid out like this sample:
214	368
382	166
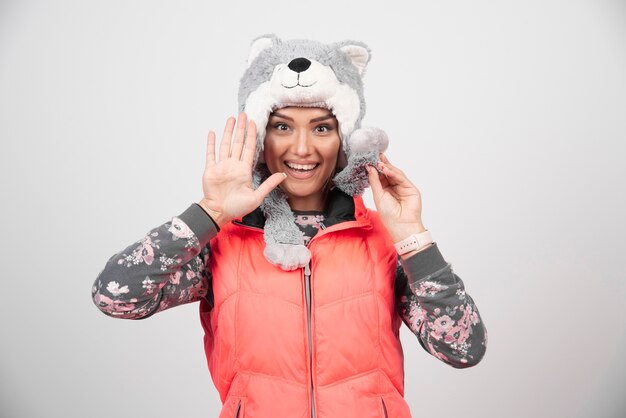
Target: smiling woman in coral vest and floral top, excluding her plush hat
321	340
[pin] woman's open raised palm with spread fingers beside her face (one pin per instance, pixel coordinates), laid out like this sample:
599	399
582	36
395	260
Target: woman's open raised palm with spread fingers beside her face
227	183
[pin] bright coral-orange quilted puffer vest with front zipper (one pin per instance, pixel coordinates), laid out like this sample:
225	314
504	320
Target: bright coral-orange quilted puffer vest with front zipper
322	341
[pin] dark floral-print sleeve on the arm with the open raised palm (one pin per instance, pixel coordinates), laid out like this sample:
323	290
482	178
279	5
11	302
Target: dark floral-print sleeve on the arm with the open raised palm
165	268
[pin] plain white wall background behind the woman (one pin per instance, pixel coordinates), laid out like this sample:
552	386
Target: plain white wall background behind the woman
510	116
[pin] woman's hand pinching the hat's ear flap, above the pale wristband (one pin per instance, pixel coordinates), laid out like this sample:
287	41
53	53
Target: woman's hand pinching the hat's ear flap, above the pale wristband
397	200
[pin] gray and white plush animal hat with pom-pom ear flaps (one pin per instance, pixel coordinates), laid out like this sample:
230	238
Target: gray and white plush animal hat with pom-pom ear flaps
306	73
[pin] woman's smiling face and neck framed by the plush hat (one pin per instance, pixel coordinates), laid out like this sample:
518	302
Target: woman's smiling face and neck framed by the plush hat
302	142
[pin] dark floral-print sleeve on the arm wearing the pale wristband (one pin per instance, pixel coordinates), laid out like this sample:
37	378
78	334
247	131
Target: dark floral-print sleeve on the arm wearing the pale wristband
433	303
